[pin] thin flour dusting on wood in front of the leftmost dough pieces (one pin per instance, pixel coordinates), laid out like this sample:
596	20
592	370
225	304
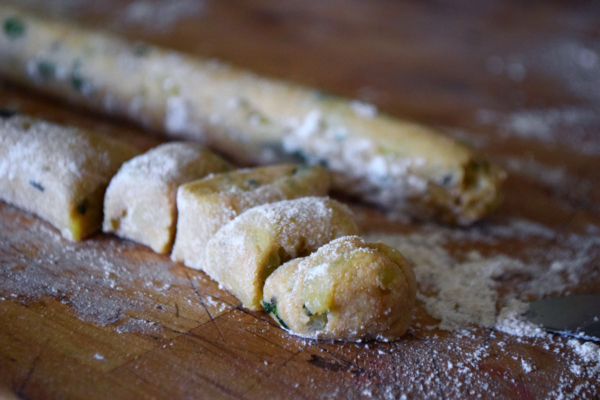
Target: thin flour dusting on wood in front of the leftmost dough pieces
97	278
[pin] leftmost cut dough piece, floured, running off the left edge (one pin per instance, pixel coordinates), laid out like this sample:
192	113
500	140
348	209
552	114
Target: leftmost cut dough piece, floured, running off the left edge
58	173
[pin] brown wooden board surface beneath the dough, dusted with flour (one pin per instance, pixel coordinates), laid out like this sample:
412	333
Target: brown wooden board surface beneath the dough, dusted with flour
110	319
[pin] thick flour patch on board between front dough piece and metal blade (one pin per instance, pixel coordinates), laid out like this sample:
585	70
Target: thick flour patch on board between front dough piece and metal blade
471	289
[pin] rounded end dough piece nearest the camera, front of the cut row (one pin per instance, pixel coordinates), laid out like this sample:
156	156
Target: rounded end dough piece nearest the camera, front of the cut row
347	290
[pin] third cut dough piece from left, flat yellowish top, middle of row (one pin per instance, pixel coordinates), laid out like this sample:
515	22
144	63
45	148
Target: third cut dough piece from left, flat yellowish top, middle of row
206	205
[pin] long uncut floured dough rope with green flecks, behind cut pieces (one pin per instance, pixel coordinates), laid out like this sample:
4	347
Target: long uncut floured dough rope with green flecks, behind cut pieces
393	163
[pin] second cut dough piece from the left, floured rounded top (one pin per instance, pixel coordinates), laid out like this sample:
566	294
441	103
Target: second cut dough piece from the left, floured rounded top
140	202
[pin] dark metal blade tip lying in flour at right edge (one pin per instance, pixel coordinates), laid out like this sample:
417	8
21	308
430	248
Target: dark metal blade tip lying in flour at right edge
573	315
